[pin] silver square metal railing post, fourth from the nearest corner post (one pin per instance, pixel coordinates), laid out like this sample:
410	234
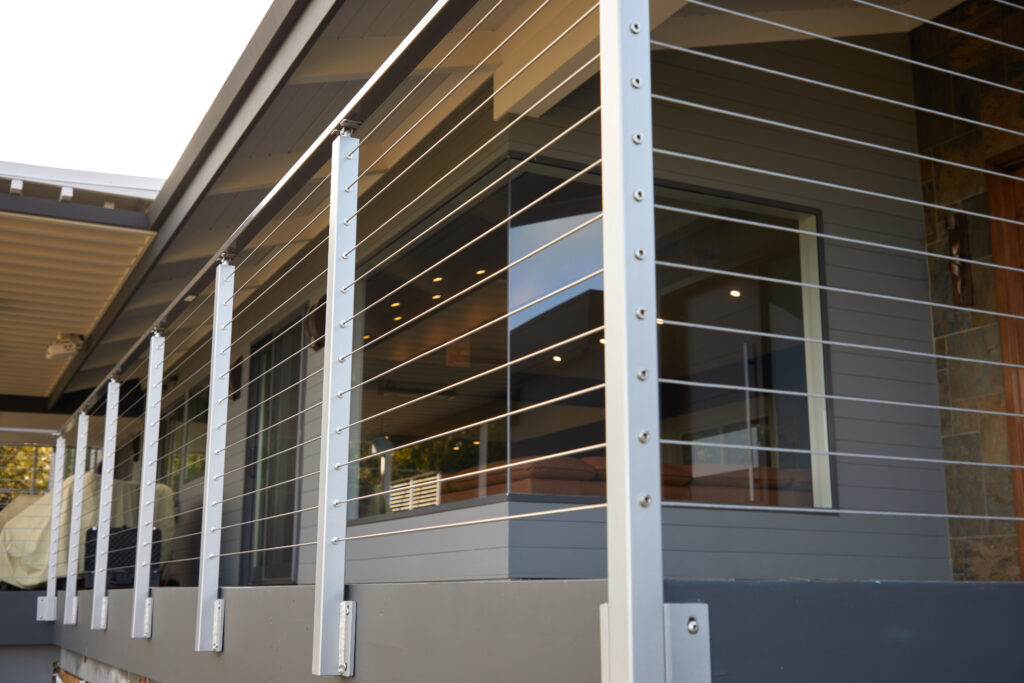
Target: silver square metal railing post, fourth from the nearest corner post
142	617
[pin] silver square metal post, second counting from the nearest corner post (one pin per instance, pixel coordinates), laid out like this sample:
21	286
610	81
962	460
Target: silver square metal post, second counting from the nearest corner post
334	619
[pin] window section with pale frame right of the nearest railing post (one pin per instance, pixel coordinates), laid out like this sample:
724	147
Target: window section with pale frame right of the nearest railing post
735	311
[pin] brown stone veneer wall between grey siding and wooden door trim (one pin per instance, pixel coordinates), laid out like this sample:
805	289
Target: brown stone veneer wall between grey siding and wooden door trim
982	550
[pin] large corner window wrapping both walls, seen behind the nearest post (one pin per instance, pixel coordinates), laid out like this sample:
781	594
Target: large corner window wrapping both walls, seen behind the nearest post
532	336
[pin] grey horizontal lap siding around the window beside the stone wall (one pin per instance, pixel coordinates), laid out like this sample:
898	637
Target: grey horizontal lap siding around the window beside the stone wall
713	543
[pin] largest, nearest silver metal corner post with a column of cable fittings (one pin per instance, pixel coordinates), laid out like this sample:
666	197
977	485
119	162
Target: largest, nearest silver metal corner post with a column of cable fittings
635	637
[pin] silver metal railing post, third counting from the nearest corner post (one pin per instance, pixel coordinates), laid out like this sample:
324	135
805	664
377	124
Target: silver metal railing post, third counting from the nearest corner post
210	610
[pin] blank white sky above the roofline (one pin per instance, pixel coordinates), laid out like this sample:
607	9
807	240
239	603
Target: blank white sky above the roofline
117	87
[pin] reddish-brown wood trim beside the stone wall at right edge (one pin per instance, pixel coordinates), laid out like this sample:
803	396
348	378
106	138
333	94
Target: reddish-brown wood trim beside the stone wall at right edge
1008	249
